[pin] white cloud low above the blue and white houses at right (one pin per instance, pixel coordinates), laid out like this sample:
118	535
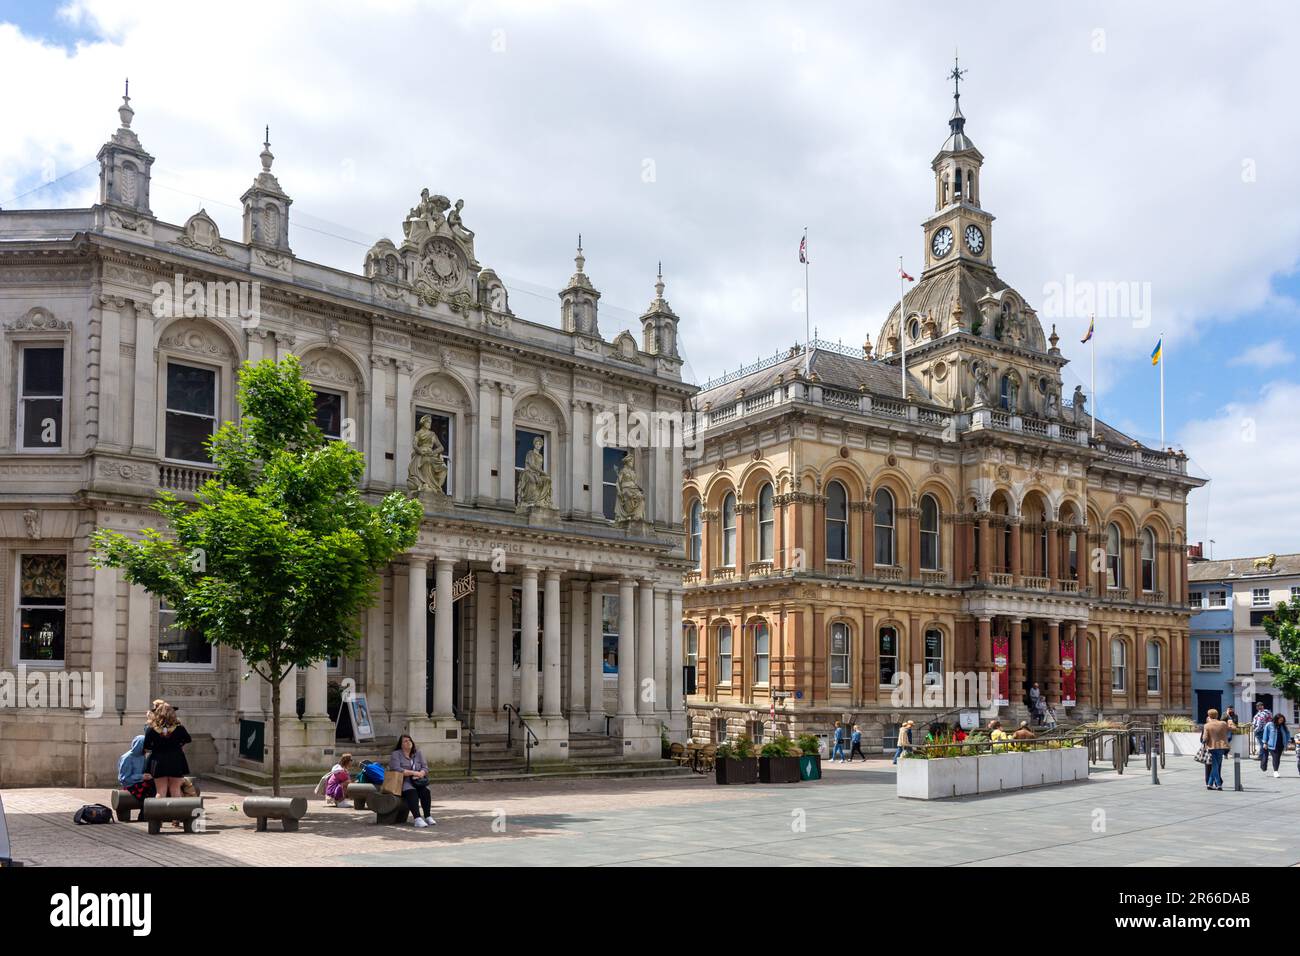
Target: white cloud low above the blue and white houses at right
1253	507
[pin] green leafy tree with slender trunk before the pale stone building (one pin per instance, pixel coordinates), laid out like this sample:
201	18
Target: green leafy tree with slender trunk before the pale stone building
280	553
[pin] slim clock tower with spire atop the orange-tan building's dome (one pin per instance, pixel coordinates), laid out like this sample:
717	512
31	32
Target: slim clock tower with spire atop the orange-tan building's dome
960	231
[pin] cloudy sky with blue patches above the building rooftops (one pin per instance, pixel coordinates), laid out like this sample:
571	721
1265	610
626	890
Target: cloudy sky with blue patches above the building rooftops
1152	146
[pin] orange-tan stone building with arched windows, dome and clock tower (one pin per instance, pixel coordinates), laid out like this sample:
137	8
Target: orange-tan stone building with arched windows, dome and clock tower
844	533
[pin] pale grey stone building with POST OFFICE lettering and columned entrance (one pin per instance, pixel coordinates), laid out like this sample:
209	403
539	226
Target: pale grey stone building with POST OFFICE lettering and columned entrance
565	605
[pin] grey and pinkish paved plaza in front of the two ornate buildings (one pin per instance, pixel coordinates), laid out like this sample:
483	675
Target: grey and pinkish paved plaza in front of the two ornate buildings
851	819
